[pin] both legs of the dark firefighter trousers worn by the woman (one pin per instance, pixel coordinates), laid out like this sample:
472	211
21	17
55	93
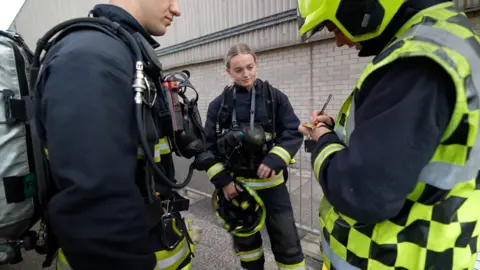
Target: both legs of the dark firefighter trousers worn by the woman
281	229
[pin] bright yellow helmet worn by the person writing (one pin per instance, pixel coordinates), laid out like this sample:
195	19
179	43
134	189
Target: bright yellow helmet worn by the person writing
359	20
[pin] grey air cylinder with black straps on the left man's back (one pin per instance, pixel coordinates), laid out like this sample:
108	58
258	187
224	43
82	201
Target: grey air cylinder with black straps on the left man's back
18	211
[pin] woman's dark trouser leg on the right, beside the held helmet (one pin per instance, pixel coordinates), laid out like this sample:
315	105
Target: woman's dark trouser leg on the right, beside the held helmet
281	228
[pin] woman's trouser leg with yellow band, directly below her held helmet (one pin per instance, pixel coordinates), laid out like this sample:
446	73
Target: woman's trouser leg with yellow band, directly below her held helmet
250	251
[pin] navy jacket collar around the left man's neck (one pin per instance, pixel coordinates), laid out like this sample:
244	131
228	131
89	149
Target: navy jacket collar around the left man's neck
121	16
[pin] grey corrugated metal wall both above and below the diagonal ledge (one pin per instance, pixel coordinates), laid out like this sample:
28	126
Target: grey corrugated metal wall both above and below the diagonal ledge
199	18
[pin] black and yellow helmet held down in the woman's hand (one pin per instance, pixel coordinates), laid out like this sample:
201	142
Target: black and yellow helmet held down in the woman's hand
242	216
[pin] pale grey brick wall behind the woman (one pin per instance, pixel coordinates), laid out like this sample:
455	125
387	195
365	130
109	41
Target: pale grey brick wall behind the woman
306	73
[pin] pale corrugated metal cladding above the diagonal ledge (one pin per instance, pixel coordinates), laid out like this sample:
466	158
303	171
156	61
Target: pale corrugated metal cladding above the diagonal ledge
199	17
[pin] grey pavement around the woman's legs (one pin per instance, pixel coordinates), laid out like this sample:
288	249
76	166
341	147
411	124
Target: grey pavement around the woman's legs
215	250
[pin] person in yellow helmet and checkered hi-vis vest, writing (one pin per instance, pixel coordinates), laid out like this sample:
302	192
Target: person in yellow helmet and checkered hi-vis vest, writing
400	164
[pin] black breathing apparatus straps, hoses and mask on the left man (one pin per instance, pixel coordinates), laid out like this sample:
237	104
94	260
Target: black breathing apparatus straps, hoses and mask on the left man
186	125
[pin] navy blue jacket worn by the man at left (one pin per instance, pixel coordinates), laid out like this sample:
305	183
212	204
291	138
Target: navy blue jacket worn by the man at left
85	116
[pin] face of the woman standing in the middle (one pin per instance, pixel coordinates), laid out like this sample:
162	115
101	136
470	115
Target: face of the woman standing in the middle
243	70
